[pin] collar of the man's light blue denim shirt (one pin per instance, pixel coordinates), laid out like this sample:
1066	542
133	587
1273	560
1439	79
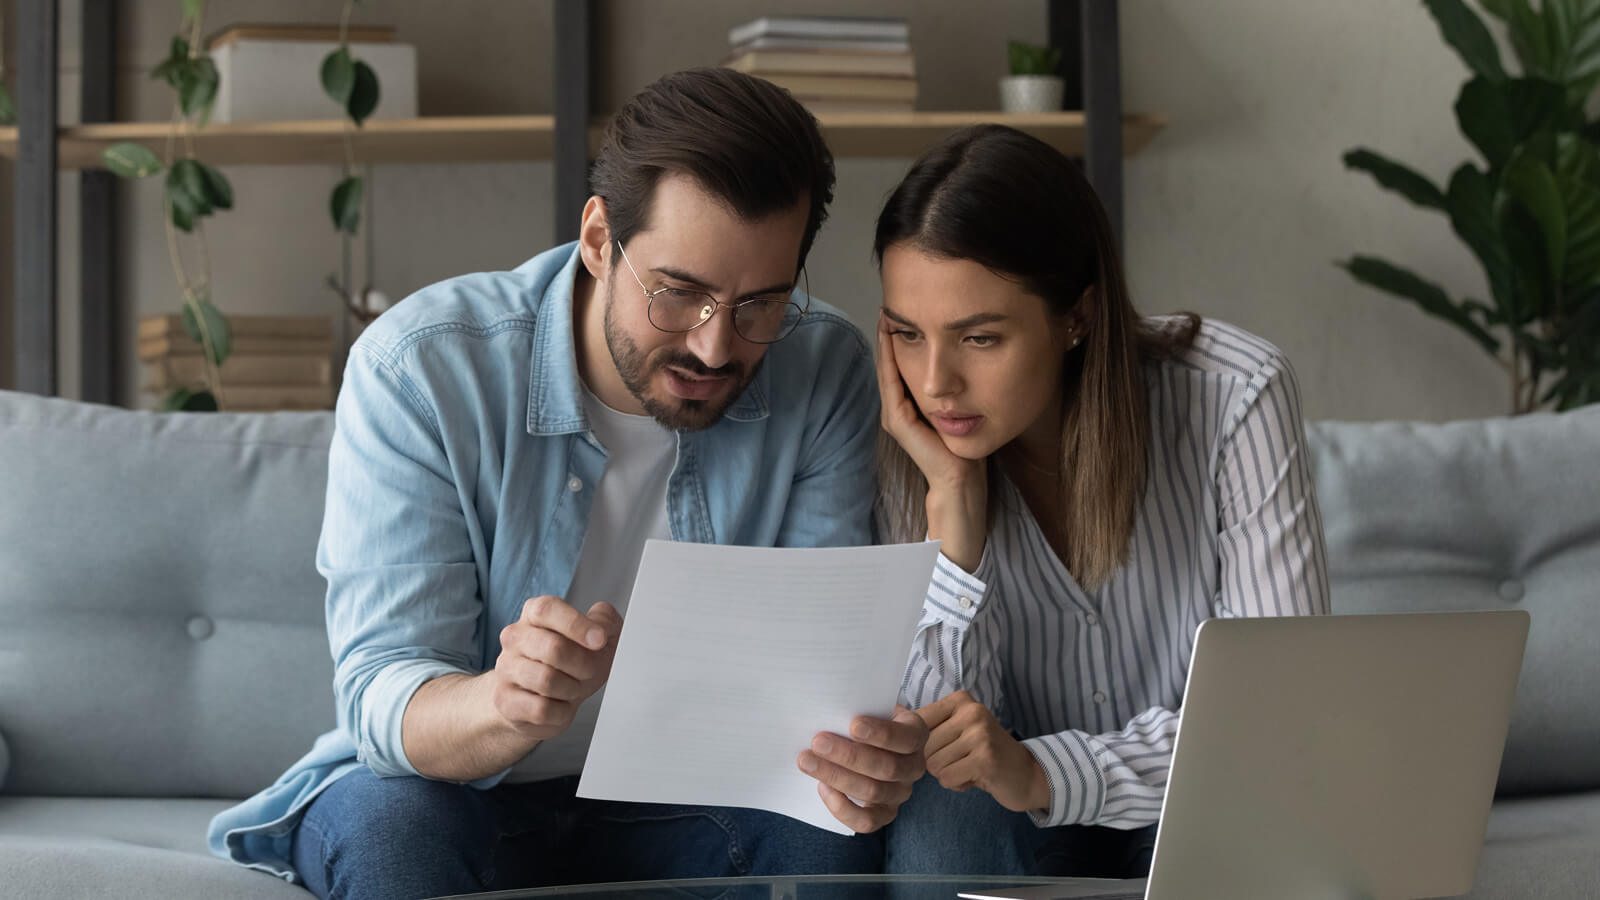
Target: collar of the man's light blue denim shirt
554	392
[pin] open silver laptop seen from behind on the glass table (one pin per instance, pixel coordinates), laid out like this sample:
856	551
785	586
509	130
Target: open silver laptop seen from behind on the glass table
1342	758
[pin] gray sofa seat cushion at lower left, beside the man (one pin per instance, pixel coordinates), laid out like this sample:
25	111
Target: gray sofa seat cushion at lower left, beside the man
122	848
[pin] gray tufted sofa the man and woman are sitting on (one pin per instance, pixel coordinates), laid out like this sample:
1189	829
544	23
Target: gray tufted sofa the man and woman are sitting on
162	645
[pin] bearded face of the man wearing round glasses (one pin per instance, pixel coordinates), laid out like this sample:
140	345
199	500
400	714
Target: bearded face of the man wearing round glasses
694	243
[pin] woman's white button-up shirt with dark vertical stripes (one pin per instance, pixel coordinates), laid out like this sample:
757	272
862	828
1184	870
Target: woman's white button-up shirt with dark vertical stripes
1094	681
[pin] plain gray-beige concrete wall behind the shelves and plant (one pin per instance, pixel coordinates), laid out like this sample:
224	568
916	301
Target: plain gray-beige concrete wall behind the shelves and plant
1238	211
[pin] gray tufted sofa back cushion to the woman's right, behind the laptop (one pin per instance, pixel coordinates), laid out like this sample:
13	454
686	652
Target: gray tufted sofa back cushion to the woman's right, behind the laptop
1484	515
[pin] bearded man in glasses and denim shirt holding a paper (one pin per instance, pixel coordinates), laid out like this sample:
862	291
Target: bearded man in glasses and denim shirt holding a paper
505	446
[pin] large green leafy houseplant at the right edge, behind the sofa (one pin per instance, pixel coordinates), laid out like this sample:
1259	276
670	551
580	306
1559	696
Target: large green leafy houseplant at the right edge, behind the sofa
1530	209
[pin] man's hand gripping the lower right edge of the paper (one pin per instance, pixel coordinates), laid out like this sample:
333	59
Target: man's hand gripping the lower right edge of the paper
878	766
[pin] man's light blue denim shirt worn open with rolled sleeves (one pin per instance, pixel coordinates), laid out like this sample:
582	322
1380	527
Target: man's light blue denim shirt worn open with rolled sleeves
460	483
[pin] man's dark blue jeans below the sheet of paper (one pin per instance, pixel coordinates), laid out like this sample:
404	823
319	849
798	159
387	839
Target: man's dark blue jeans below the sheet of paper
399	838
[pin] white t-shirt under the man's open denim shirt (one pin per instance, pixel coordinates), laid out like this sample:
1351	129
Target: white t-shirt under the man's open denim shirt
630	508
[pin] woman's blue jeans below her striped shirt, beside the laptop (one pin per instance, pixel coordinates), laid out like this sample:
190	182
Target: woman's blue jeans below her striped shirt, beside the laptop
942	832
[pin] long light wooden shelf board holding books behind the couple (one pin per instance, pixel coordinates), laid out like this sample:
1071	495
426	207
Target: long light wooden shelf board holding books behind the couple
484	139
